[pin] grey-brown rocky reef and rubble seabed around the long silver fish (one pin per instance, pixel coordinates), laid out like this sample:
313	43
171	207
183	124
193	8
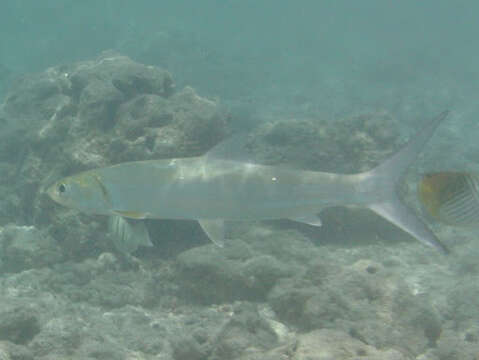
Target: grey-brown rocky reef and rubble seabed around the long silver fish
354	289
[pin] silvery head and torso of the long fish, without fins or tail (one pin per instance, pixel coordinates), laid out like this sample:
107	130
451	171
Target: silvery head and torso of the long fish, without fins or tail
203	188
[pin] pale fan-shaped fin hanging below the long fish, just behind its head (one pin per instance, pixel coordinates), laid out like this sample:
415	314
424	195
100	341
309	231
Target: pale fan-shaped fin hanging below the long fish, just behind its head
128	234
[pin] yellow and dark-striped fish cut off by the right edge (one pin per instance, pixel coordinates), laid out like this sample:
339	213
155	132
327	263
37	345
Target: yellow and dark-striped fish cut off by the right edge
451	197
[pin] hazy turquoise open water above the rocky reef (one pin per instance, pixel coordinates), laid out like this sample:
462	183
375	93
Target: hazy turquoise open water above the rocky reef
246	49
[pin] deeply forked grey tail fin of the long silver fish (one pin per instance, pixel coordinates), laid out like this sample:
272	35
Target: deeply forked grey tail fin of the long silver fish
385	178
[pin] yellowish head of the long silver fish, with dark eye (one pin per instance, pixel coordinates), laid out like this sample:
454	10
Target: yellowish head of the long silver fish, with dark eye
84	192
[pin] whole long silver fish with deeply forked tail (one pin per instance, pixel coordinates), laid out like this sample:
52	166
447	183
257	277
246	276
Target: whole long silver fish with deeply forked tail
213	190
